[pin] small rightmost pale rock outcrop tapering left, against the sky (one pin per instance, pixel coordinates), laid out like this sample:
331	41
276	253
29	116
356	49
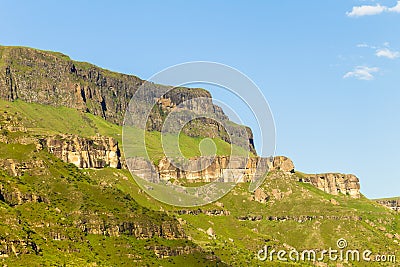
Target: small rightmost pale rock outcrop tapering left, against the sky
335	183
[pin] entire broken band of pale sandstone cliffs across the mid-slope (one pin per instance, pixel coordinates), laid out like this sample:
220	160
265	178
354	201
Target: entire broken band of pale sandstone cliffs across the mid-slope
100	151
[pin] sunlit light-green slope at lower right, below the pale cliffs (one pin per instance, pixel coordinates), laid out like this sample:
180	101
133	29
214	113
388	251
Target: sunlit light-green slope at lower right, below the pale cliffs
362	222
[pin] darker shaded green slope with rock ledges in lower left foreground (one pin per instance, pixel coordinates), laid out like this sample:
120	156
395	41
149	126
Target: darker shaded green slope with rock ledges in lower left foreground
46	229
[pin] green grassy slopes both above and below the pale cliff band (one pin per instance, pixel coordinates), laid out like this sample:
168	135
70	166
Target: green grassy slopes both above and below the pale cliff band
55	214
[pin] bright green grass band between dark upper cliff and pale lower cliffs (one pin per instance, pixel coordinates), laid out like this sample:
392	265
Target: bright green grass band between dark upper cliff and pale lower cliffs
44	120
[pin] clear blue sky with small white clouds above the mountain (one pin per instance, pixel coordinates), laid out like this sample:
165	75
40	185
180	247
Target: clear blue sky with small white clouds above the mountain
329	69
